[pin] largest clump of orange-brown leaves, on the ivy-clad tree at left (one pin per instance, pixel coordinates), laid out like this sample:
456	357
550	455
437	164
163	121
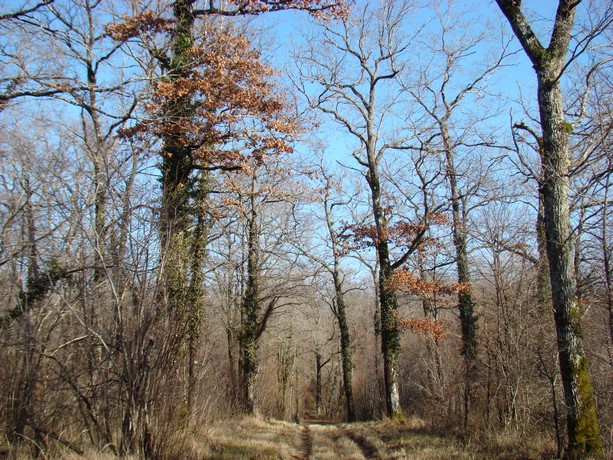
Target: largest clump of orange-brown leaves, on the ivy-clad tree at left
225	99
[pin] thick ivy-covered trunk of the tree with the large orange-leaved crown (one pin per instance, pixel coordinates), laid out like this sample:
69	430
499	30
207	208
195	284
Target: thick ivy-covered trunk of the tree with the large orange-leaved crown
182	221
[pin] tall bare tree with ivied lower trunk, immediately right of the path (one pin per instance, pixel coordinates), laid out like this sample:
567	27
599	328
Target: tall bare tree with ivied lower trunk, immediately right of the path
353	65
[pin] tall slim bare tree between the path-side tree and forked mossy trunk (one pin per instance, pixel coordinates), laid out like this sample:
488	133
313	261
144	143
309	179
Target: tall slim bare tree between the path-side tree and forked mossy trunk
443	90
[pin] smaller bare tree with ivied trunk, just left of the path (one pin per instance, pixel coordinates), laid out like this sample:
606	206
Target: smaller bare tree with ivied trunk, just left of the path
260	268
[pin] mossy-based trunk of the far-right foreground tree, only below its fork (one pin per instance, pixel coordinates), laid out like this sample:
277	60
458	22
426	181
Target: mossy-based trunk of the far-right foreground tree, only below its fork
583	429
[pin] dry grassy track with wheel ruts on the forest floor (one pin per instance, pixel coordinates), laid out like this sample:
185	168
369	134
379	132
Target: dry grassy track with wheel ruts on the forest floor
253	438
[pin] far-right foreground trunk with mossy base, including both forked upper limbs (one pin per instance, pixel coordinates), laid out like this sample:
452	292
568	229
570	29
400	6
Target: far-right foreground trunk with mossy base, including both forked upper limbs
549	64
